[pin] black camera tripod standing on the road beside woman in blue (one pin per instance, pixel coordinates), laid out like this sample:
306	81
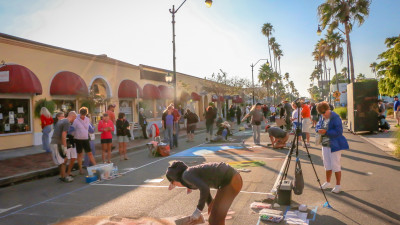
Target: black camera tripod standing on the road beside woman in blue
295	145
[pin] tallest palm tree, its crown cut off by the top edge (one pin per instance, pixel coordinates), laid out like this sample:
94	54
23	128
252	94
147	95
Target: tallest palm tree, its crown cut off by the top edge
345	12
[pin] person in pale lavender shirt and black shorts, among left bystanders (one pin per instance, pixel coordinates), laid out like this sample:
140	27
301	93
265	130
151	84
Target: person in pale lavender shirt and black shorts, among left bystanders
81	125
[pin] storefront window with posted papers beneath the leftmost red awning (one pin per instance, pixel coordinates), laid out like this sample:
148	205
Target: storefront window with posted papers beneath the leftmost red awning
15	116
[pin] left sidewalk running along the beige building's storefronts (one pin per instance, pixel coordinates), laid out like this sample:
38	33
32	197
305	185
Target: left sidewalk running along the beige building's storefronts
17	165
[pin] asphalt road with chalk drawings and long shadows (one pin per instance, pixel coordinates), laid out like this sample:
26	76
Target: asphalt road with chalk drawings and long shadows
370	189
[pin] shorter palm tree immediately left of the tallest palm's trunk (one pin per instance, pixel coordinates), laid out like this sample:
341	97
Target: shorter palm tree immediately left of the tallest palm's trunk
335	49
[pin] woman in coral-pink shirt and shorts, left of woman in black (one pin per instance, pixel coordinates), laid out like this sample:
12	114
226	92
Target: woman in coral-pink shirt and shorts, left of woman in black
106	127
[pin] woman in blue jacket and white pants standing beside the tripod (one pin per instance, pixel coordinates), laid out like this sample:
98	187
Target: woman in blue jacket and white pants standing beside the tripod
333	141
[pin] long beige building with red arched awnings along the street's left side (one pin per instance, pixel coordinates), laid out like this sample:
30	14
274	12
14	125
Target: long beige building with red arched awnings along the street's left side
31	71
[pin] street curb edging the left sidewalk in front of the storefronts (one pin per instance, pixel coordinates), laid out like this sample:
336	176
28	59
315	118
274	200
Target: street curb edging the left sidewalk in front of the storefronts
51	171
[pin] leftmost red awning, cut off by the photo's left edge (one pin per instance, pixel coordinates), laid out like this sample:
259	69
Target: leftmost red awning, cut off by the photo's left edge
18	79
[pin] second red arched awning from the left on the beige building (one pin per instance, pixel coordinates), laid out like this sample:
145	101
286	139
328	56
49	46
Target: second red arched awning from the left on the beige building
68	83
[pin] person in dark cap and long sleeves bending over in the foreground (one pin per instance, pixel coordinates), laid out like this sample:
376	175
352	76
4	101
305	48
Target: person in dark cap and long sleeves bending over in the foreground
220	176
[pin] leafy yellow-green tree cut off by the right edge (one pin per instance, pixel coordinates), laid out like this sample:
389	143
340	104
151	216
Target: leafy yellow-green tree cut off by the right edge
389	67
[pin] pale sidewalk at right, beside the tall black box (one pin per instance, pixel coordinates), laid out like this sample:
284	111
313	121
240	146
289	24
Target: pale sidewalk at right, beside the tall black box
384	141
